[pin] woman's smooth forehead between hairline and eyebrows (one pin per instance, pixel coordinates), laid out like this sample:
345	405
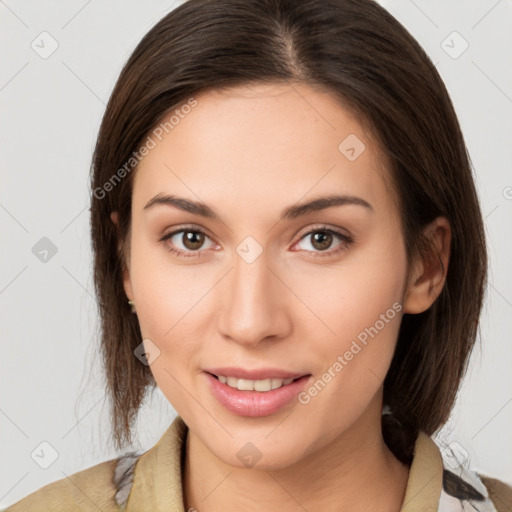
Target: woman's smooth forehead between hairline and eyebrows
263	144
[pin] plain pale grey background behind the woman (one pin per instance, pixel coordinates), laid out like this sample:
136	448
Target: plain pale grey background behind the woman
50	377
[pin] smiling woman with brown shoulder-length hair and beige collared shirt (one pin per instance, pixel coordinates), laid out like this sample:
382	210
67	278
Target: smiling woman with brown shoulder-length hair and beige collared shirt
288	243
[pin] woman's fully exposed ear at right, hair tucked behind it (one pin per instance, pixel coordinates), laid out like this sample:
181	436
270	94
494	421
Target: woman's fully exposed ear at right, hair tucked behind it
428	275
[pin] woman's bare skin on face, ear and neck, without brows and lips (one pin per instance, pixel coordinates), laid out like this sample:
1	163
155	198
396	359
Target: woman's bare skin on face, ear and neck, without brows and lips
248	153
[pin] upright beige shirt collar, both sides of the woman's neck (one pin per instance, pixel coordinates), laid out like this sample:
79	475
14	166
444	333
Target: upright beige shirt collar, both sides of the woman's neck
158	475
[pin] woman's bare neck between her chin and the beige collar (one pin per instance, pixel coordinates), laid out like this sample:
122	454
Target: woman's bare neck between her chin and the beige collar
355	472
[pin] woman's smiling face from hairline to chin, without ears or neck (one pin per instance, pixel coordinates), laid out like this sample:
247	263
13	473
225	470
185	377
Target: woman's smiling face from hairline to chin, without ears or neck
273	289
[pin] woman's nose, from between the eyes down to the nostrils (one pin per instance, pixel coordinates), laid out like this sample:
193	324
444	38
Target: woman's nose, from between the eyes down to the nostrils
251	308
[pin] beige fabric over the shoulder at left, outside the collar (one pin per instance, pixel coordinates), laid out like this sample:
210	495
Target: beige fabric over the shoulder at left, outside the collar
103	486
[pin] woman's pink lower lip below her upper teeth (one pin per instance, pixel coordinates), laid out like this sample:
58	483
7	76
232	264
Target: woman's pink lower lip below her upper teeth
255	403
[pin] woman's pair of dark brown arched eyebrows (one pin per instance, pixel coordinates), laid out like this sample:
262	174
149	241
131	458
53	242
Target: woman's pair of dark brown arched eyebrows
292	212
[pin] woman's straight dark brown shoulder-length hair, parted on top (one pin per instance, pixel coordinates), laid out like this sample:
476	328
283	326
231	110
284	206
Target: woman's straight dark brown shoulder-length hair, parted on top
357	51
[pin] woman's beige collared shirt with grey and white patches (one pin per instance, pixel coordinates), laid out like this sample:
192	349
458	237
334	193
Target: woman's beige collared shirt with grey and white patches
152	481
